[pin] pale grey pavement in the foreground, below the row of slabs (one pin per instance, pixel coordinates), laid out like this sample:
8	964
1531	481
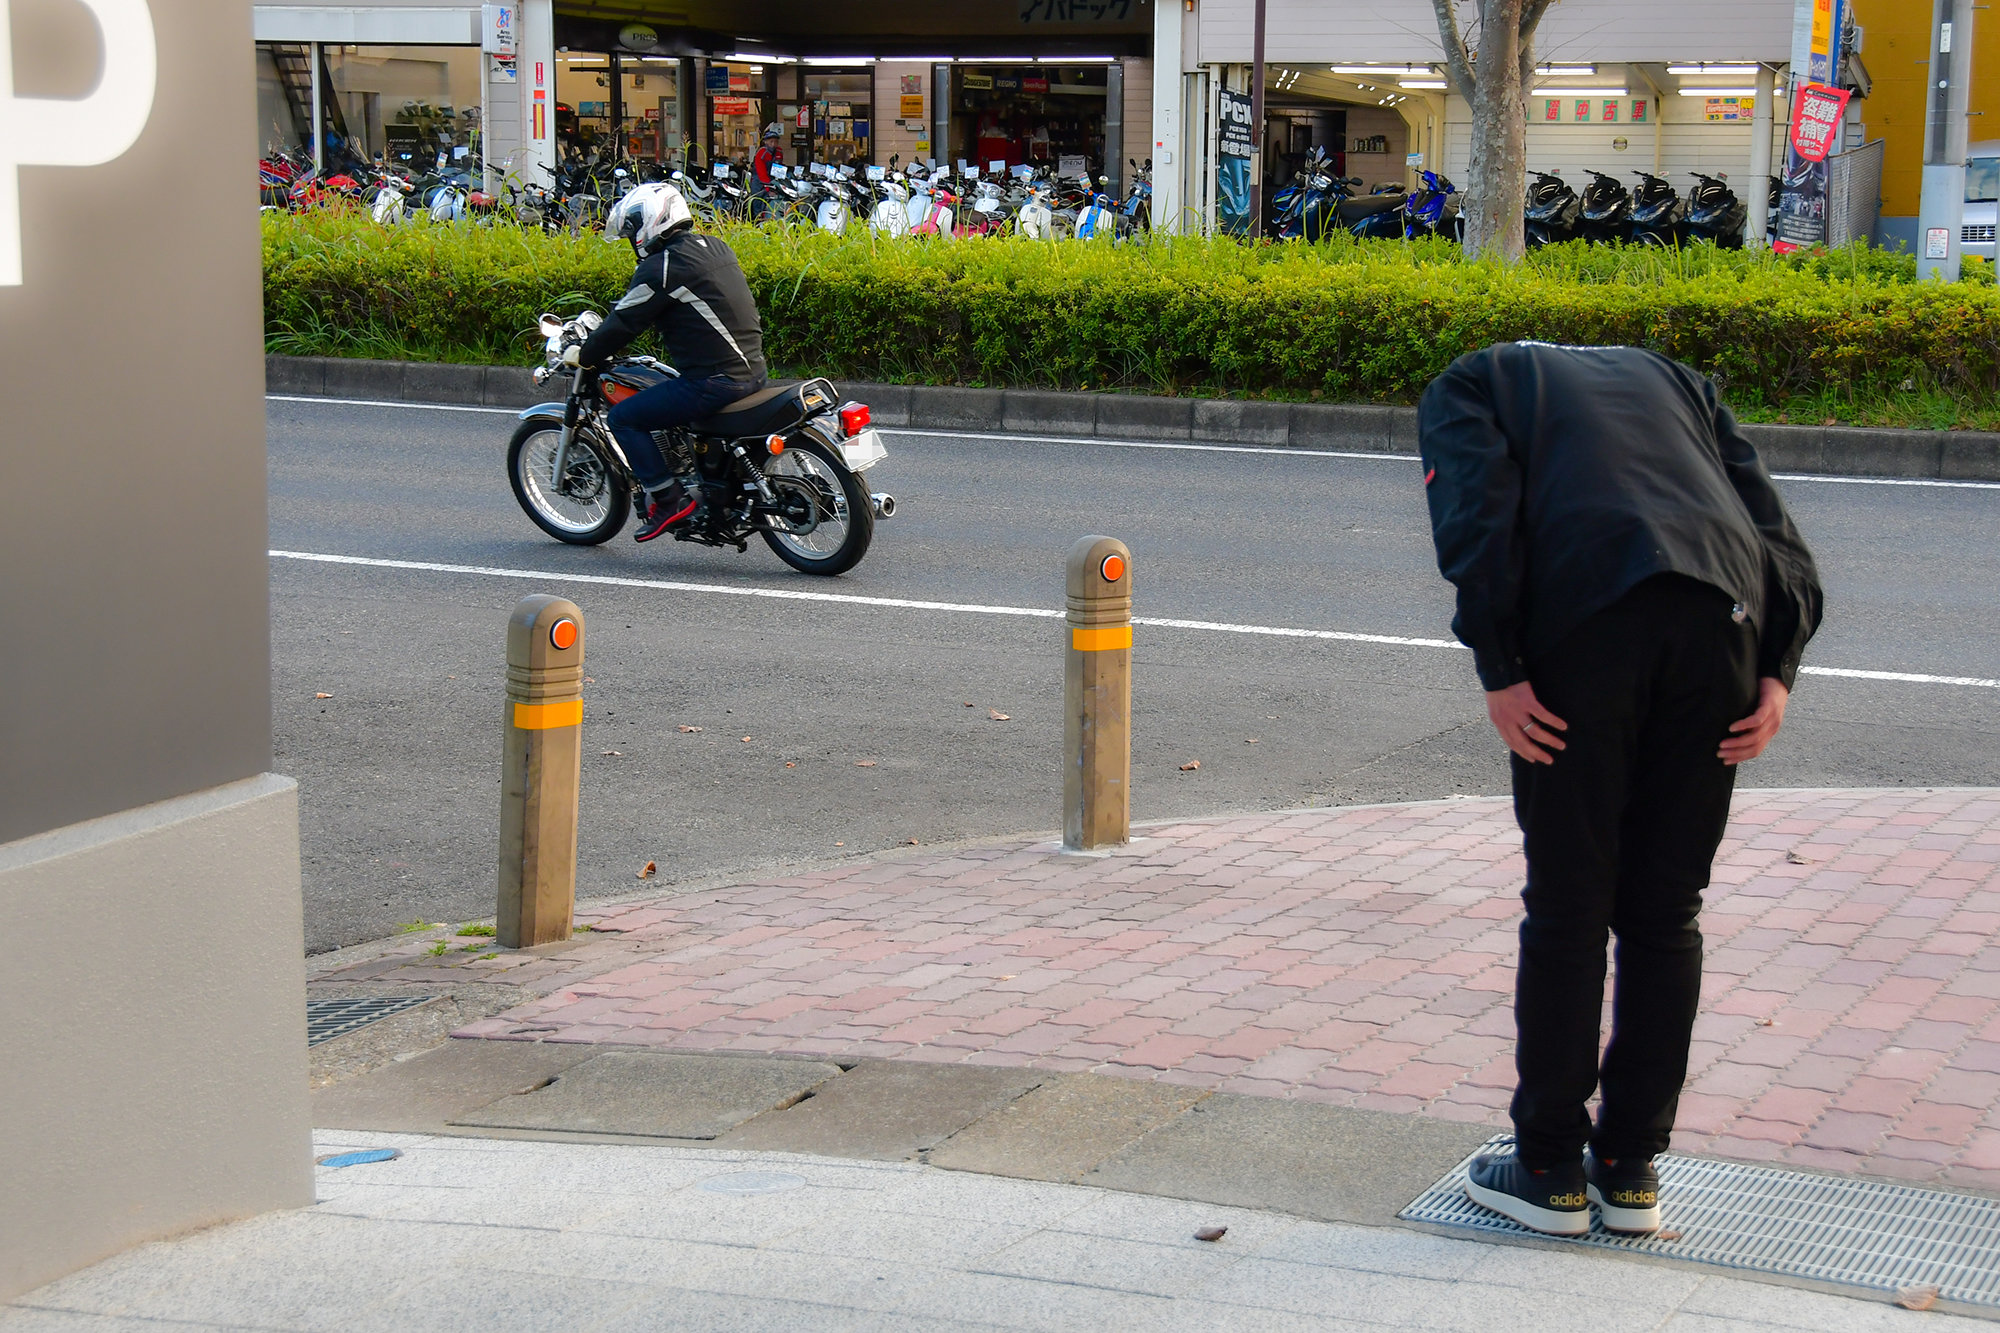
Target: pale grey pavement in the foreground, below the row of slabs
469	1234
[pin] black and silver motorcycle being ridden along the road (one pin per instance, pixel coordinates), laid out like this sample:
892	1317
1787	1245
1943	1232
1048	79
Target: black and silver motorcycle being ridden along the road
787	463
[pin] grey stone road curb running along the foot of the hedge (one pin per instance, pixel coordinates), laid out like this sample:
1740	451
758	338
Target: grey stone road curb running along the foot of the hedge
1331	427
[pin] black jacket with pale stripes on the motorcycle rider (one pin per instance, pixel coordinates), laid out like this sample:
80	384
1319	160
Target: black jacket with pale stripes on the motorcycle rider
693	293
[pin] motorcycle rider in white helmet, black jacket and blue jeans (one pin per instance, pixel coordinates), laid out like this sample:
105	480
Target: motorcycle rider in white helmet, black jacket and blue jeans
691	291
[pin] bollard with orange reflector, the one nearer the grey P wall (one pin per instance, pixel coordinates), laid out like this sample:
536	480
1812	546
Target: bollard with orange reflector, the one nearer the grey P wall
543	770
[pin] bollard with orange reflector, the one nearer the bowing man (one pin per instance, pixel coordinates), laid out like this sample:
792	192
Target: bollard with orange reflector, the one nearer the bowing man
1097	698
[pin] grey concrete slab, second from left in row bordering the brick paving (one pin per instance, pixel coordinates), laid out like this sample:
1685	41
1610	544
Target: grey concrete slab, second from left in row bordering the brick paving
655	1094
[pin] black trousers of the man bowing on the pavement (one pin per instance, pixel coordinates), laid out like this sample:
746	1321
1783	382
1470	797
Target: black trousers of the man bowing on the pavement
1621	834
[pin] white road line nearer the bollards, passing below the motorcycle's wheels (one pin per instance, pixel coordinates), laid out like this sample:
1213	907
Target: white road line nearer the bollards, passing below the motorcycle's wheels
1039	613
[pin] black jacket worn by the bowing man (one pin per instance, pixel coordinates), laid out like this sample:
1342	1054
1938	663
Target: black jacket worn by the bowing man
1559	477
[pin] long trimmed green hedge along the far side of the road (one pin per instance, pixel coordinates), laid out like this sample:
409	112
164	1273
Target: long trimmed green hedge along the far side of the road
1847	335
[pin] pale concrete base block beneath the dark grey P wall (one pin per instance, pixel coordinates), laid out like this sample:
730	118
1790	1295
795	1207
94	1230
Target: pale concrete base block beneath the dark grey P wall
153	976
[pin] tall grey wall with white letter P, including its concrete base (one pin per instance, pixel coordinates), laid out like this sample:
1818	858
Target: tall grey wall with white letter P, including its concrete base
149	962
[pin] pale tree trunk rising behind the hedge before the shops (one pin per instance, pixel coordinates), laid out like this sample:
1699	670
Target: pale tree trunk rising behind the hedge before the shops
1497	87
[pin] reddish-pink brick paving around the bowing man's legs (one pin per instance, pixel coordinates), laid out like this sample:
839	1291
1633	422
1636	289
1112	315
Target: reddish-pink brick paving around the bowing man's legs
1851	1012
